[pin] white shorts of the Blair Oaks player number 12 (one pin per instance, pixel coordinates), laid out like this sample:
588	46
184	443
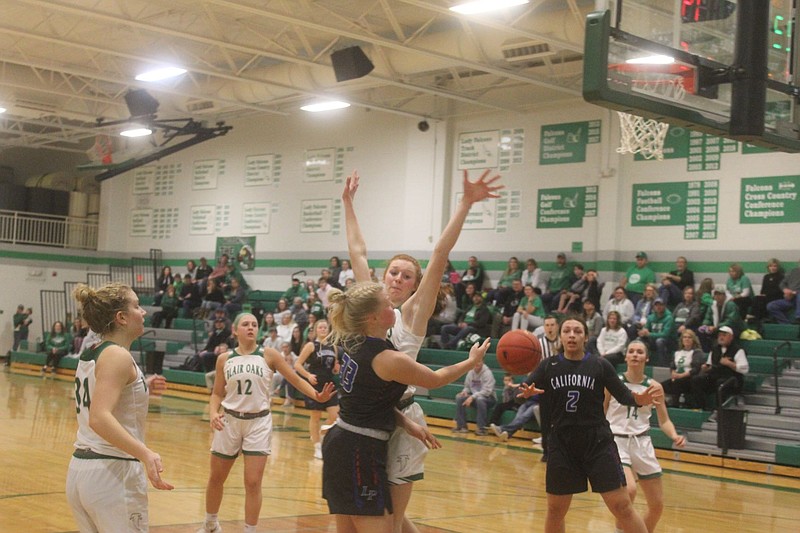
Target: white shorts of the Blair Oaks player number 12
250	437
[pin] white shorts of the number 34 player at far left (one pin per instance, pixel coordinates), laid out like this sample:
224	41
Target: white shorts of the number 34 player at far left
108	495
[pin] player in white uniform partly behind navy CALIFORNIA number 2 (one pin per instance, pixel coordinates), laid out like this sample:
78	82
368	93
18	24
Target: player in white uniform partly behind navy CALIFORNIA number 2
631	427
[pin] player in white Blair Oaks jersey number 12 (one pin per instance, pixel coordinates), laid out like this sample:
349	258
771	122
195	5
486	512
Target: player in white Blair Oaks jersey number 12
241	419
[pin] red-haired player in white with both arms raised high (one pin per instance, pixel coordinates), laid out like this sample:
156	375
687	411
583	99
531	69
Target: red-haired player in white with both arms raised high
415	298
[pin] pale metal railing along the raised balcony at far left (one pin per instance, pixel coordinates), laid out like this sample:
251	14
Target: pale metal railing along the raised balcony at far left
17	227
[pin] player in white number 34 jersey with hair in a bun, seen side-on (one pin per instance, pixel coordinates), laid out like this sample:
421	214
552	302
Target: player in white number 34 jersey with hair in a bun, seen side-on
108	472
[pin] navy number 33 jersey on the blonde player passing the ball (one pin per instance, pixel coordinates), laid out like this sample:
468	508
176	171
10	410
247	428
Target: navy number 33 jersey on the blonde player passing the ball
365	399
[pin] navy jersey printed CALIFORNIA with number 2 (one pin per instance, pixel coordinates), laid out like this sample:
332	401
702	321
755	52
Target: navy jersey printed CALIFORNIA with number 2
575	389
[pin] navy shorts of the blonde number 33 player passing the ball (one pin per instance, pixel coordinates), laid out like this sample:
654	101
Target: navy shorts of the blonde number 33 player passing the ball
354	474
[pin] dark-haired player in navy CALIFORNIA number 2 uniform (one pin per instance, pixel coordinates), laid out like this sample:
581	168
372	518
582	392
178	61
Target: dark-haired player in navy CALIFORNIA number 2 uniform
580	443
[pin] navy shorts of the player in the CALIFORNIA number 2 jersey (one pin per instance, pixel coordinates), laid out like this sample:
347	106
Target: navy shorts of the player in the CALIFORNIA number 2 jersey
580	454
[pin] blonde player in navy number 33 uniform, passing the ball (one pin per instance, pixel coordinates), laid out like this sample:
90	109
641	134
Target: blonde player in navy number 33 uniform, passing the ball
373	379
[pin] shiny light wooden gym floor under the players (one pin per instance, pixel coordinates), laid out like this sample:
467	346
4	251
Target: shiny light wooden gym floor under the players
472	484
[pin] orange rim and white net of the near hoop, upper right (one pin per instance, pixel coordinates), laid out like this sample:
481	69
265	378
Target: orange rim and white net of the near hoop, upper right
639	135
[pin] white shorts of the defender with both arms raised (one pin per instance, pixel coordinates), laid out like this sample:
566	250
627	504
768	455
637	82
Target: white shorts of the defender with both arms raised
406	454
